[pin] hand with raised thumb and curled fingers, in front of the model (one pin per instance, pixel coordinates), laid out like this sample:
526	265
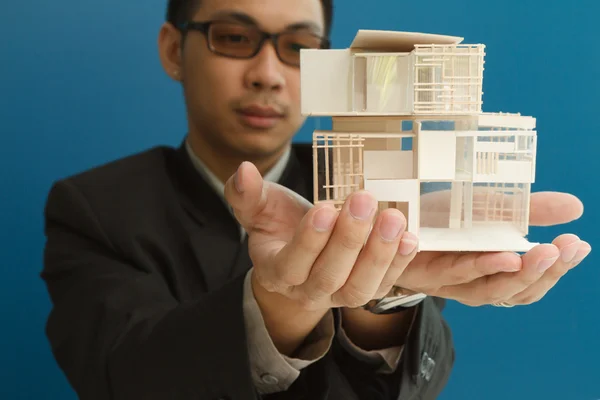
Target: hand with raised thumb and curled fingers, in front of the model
314	255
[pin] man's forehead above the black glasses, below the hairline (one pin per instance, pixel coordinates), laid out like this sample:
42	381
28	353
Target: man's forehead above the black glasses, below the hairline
270	15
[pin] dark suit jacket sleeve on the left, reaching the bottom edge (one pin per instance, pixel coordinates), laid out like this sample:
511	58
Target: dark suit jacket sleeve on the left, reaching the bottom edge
116	331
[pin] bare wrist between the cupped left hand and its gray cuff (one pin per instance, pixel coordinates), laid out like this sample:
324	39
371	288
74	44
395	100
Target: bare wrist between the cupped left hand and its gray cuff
287	323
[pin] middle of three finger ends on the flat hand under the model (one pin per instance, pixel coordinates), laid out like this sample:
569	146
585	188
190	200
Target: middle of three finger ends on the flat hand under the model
499	287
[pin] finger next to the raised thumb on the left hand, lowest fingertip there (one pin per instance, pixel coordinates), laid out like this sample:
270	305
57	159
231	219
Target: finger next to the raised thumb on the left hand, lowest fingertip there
290	266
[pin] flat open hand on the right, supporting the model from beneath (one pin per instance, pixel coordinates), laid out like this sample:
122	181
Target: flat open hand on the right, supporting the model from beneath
477	279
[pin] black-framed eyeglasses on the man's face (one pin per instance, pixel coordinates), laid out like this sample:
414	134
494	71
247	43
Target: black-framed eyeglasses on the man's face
237	40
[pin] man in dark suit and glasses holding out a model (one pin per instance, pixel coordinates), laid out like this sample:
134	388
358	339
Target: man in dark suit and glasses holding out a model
201	273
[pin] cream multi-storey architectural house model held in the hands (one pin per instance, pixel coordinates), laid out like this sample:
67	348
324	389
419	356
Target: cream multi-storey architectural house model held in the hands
407	115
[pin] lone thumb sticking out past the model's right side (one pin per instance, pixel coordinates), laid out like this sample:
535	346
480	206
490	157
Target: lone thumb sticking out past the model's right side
553	208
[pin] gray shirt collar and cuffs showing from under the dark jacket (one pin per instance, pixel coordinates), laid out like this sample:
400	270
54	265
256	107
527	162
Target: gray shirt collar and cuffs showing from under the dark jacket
271	370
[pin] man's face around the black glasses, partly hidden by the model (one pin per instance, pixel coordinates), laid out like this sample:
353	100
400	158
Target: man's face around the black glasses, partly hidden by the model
228	99
